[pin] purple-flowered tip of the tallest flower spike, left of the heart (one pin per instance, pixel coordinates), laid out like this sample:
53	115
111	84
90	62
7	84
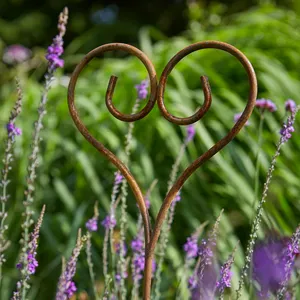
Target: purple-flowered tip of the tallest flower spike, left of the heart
55	50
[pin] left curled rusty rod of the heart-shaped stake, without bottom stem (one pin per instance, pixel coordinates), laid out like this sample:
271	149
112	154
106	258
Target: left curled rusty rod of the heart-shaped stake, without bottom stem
128	118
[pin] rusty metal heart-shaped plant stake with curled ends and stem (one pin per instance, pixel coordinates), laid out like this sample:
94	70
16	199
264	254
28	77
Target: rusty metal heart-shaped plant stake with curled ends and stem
157	93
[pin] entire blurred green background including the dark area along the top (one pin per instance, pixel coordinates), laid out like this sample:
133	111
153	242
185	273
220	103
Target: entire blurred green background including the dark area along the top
72	175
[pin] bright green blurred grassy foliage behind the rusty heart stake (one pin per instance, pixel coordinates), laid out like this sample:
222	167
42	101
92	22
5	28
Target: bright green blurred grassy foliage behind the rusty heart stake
72	175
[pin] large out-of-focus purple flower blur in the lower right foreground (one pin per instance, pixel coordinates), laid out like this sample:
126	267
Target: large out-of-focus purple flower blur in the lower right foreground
269	266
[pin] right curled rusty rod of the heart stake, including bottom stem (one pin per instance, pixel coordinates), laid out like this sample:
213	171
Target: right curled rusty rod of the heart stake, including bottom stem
208	154
